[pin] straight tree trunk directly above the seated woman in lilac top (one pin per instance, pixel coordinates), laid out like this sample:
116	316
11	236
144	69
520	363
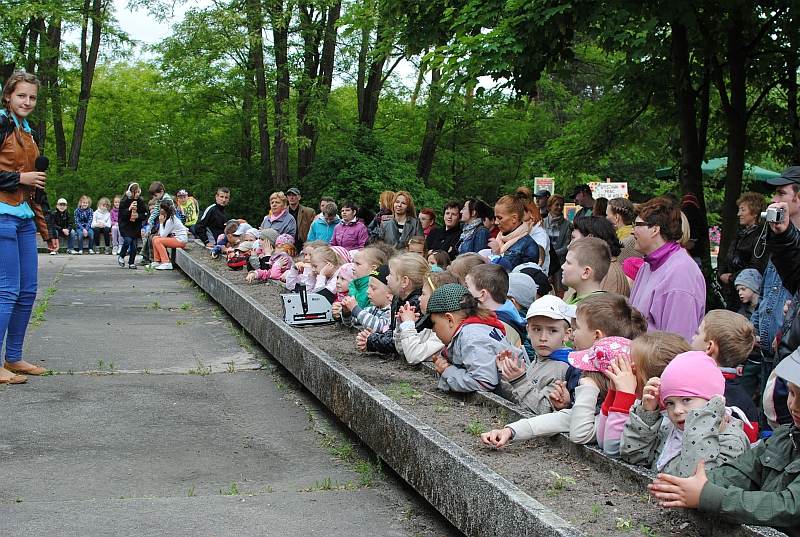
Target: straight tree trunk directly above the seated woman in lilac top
280	36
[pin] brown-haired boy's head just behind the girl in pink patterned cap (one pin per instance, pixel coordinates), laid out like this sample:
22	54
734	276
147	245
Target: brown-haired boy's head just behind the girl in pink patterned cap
606	315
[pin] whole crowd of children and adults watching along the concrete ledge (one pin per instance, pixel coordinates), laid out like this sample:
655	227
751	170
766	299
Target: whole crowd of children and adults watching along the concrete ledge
575	351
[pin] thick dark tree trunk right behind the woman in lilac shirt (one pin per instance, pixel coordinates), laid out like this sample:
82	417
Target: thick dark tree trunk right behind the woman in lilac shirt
692	146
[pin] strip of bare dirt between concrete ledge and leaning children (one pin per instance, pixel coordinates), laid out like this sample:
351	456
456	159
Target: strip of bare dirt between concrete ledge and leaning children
588	496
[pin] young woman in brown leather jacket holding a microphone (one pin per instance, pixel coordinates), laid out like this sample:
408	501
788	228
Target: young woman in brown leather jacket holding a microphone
20	216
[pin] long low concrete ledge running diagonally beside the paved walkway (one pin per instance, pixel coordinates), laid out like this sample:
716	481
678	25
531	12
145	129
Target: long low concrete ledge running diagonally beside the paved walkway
474	498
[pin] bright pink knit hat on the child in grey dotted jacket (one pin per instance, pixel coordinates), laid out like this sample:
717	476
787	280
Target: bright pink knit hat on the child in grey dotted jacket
692	374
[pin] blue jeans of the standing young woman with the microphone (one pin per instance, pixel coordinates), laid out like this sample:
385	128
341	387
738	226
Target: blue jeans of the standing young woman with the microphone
18	279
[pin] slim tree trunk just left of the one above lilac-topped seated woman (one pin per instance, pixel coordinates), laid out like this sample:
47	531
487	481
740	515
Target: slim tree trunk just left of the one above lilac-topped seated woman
255	23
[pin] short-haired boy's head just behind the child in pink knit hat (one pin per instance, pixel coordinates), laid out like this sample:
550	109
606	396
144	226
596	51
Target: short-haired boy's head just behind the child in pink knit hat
725	336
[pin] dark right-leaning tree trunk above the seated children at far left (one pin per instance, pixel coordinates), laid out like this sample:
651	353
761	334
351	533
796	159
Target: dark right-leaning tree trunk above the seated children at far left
92	12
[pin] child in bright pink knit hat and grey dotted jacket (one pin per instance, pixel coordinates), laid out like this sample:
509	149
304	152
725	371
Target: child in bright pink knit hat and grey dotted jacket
696	426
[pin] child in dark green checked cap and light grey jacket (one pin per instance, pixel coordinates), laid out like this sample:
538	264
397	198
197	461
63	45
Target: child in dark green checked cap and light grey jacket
472	336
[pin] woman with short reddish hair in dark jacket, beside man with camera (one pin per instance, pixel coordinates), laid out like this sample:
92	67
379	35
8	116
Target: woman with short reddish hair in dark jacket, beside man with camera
740	252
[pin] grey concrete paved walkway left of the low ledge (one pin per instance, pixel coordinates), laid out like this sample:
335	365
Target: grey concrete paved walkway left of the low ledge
163	419
